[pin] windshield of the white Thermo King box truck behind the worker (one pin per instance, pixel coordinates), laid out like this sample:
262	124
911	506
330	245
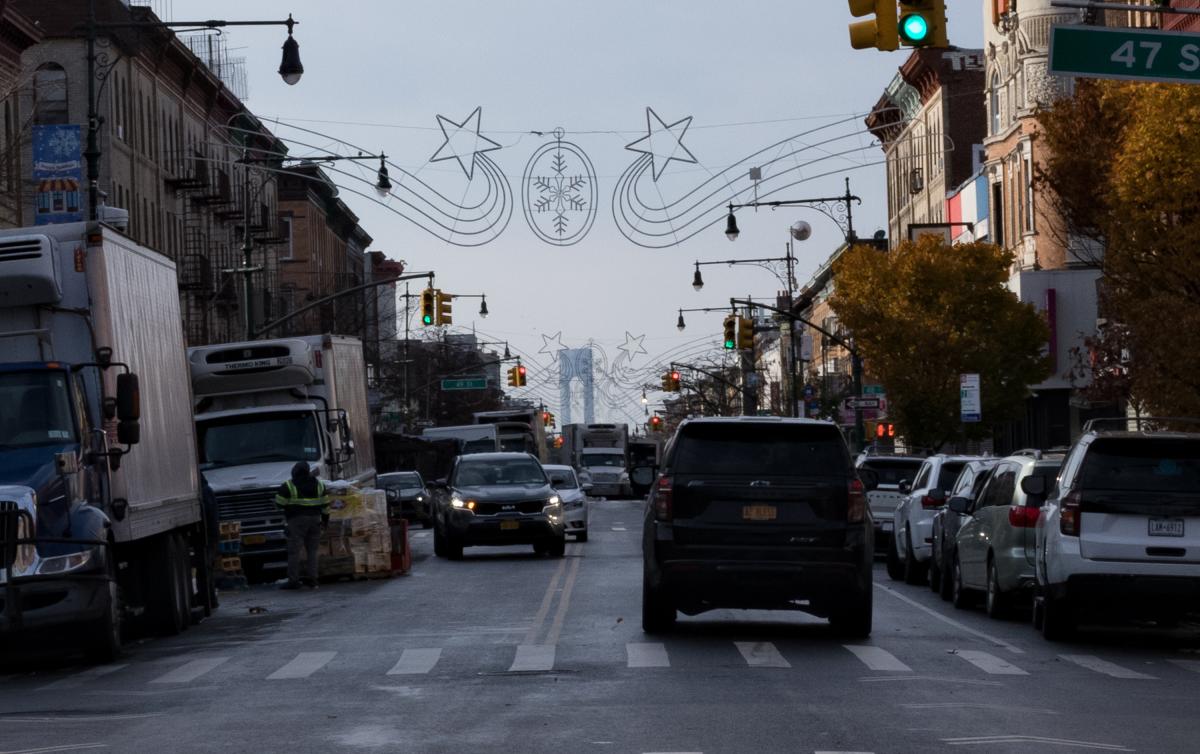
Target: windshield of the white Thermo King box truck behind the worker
259	439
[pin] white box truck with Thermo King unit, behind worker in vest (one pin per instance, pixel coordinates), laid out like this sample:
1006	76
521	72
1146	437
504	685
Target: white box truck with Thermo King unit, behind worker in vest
261	408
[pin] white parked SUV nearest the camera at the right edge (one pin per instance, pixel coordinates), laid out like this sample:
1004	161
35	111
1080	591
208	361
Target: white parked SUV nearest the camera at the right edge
1120	532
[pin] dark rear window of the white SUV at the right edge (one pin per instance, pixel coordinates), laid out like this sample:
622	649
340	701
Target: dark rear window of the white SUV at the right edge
1136	464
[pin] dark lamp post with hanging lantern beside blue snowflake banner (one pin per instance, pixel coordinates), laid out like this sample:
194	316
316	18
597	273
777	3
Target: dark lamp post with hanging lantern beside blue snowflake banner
291	70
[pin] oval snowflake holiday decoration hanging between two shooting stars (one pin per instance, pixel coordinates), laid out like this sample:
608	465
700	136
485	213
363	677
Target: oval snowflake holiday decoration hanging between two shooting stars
560	193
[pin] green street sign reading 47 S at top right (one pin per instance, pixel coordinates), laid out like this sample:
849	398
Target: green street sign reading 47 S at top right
1139	55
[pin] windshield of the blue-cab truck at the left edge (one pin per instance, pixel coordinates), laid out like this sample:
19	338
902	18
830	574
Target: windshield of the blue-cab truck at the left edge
35	410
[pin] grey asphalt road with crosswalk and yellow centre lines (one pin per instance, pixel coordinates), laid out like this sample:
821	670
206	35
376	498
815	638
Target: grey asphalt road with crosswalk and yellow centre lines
511	653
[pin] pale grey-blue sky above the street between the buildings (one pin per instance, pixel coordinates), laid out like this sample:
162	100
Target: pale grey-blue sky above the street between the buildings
766	83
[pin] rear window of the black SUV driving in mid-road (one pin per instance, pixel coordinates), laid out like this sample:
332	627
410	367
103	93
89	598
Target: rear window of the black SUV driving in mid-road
760	451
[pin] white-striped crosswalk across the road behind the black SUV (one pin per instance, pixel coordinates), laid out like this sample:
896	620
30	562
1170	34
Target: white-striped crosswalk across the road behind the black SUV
871	662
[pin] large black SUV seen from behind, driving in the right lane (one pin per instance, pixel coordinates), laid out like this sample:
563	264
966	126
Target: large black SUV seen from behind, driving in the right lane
759	513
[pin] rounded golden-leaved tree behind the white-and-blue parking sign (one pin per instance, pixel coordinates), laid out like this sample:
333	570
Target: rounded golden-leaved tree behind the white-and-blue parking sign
925	314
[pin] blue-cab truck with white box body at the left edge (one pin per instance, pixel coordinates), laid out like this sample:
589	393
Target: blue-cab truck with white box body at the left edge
101	513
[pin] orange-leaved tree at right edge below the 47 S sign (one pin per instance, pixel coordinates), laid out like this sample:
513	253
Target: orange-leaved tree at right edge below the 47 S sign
1126	166
